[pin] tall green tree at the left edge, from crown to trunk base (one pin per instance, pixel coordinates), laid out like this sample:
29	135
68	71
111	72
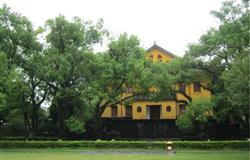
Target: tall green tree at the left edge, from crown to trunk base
18	41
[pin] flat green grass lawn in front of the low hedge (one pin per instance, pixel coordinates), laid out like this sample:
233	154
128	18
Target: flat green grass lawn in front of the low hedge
120	154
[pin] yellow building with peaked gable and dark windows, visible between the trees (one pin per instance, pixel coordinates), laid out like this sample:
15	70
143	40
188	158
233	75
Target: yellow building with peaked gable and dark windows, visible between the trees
141	109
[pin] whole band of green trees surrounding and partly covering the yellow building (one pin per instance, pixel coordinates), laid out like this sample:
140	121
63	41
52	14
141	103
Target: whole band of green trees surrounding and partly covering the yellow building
53	83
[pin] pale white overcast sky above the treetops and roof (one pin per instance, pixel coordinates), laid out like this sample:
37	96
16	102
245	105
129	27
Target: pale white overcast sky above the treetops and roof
171	23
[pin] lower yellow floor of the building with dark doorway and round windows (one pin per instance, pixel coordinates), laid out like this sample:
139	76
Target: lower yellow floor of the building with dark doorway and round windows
145	110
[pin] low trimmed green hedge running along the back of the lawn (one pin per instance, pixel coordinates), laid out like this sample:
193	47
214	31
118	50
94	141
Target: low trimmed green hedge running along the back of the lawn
127	144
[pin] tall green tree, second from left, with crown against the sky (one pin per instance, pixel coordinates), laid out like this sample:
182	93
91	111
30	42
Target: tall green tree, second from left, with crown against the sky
67	58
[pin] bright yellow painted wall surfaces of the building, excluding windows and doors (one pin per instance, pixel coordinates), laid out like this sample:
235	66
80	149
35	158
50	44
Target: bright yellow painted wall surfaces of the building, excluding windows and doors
143	104
